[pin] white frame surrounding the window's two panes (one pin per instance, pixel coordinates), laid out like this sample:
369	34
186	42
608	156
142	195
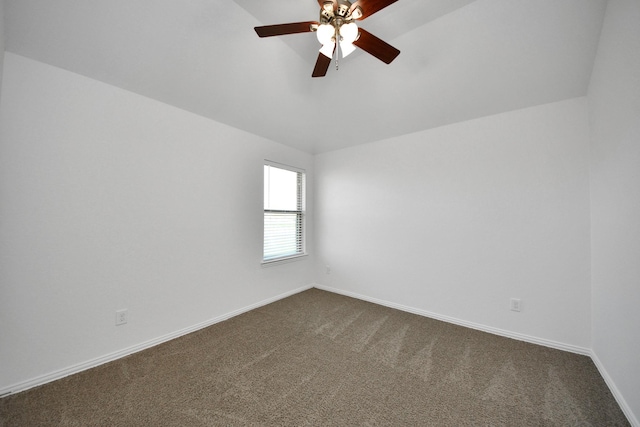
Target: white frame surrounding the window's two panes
301	212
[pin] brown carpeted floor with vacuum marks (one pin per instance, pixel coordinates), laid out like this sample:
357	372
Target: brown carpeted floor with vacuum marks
317	359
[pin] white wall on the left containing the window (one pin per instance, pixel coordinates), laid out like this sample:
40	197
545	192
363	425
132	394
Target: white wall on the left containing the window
109	200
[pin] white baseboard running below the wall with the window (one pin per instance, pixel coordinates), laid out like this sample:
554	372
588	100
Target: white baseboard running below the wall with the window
56	375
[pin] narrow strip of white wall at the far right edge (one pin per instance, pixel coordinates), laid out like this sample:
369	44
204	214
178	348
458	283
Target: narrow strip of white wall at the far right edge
614	100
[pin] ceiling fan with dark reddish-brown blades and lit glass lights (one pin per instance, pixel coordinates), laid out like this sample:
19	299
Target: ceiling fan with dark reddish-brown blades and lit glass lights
337	30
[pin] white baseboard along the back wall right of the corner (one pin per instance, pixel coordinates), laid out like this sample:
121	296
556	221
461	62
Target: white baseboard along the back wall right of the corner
460	322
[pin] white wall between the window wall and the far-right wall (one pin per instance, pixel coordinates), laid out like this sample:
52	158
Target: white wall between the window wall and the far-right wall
456	220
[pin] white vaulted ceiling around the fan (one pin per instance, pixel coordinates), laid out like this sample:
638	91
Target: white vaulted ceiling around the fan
461	59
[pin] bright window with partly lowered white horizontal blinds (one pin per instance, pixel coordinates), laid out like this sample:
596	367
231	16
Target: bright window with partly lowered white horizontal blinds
283	212
